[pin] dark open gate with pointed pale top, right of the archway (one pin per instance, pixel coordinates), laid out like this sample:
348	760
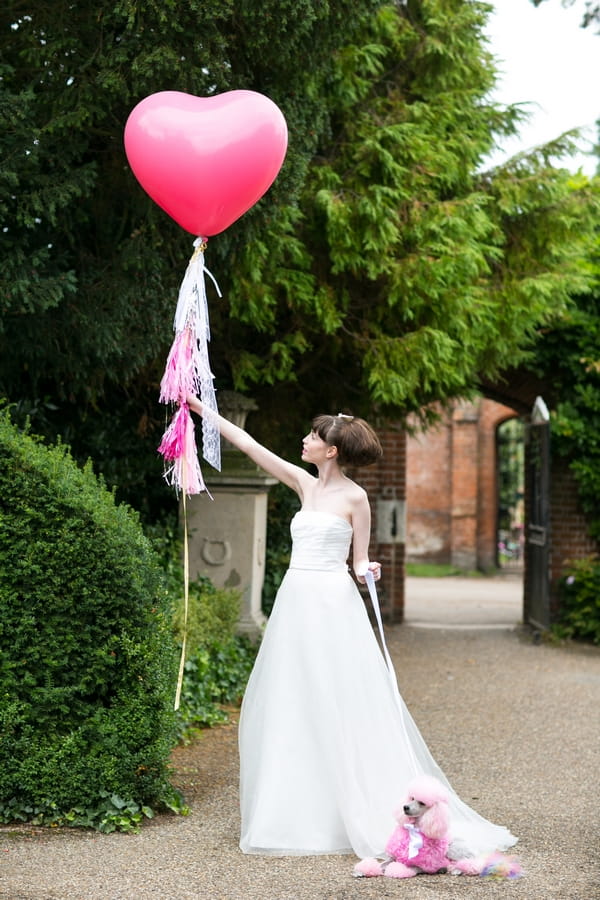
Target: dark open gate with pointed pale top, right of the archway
537	538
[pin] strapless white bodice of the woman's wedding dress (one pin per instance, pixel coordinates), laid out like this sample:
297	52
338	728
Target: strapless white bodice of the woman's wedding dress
320	540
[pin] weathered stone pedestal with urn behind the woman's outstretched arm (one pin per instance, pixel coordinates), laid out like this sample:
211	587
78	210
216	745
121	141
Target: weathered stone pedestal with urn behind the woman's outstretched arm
228	534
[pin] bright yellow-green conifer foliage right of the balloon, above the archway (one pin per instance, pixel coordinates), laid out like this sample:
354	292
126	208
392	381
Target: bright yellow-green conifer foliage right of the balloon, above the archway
421	269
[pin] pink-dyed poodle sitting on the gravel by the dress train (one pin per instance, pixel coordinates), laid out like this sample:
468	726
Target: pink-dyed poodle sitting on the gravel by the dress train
421	840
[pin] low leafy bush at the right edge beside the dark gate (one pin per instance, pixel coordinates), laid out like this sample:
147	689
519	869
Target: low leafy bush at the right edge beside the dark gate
580	601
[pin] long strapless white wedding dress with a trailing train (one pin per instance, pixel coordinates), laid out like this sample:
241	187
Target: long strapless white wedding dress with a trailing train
326	744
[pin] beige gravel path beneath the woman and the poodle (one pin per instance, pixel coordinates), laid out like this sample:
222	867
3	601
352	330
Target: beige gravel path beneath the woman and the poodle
514	725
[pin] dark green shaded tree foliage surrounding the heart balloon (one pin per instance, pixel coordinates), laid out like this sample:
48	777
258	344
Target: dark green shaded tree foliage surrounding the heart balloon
90	266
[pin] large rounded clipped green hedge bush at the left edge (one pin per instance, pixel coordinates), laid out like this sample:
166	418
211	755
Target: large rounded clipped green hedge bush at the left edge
87	665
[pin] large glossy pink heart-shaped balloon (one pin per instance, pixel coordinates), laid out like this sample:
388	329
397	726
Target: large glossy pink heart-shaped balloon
206	160
